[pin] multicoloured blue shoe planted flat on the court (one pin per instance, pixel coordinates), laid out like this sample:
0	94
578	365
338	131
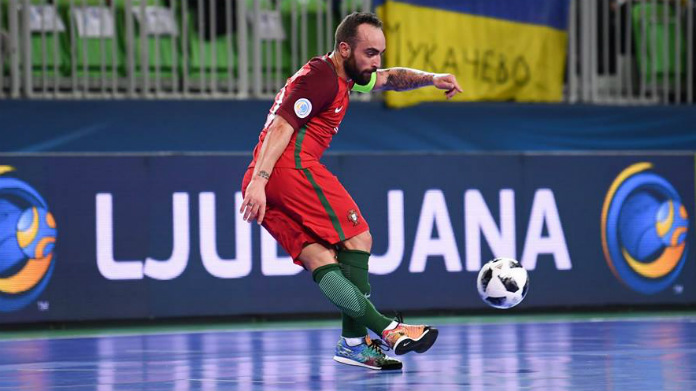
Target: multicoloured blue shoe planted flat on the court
369	354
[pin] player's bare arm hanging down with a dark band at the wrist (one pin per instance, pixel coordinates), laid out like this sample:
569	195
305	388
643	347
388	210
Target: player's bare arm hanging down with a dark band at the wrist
277	139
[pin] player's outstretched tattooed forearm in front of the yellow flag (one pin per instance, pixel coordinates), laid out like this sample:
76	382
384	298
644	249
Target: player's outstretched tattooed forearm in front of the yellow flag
404	79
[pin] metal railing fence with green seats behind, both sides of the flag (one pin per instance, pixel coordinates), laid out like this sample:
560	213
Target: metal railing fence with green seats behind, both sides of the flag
619	51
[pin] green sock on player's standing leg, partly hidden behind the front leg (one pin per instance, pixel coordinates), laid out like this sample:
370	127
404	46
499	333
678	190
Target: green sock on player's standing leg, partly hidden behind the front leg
353	264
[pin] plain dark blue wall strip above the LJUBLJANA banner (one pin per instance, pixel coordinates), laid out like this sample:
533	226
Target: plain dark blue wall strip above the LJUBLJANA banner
224	126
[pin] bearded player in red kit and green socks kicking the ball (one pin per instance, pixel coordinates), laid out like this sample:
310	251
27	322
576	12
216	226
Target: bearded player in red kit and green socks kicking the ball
307	210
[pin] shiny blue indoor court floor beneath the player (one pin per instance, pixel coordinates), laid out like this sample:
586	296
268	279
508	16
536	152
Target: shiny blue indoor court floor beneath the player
574	353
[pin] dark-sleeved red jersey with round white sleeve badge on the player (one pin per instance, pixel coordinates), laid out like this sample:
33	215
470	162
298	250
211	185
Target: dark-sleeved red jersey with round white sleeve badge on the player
313	101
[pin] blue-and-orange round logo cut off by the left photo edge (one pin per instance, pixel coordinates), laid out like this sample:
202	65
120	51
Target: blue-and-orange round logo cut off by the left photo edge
27	239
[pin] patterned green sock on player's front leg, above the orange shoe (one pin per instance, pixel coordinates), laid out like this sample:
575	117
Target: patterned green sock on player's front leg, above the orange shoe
348	298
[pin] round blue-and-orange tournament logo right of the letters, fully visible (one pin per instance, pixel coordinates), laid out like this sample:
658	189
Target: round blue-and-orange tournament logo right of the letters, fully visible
644	229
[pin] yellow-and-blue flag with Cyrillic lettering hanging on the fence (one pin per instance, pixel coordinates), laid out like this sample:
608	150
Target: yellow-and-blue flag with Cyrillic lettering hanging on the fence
500	50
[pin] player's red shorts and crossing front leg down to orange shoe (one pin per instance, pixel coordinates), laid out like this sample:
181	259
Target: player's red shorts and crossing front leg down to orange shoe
330	215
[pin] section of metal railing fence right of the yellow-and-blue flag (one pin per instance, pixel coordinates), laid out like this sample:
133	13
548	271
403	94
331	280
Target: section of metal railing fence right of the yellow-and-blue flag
631	52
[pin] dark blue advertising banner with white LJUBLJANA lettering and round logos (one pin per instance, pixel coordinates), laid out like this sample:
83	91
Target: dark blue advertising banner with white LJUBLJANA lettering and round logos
113	237
